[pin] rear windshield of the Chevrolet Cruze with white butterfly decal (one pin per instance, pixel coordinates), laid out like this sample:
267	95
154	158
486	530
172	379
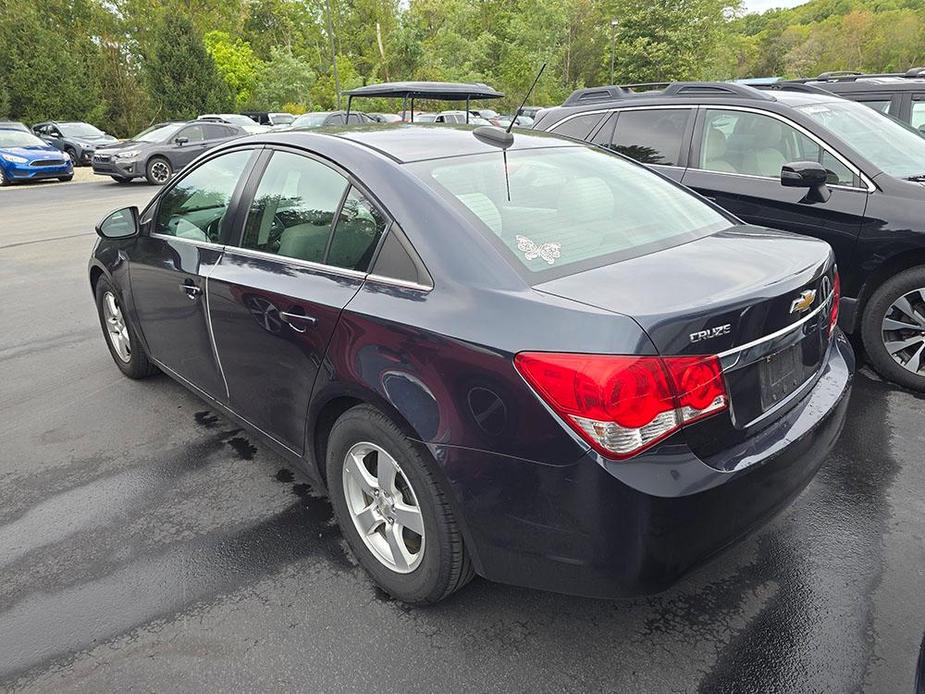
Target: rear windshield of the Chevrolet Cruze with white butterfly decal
561	210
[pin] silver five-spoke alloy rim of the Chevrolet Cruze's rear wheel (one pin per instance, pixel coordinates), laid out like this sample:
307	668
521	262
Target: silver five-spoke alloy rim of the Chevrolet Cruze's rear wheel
384	507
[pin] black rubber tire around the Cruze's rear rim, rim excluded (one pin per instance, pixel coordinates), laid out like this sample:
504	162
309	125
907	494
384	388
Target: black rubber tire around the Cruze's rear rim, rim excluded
428	582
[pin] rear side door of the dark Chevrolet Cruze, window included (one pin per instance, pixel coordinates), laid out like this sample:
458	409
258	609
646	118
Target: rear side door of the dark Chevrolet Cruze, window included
278	292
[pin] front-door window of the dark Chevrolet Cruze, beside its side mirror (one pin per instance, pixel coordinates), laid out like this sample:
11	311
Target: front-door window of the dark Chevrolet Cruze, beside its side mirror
195	207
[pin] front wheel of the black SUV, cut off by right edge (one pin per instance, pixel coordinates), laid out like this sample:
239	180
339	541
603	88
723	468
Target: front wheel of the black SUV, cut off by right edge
898	302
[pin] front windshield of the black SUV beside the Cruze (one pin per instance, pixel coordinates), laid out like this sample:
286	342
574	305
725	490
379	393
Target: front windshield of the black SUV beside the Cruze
890	146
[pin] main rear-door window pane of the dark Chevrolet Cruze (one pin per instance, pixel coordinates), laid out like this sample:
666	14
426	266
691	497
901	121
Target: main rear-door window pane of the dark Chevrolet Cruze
294	207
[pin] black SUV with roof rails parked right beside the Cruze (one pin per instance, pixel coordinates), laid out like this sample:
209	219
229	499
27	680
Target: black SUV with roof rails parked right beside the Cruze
798	159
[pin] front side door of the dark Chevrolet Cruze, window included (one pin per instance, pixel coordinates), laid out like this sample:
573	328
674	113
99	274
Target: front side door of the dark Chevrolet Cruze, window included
181	242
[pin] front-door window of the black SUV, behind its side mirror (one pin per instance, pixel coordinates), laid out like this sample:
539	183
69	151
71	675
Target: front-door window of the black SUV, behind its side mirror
756	145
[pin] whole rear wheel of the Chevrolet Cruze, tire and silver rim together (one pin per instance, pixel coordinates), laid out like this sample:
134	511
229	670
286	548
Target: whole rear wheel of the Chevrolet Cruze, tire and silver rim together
365	437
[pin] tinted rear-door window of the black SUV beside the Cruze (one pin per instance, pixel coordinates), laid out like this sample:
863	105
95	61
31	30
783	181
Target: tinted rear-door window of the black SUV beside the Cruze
652	137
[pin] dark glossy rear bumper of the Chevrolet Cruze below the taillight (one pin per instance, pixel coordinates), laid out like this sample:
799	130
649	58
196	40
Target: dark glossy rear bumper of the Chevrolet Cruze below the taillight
633	528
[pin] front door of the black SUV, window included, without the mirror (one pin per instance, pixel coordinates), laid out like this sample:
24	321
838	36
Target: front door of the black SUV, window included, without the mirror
736	157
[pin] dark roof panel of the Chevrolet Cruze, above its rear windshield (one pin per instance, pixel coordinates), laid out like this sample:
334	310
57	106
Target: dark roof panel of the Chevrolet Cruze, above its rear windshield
407	142
